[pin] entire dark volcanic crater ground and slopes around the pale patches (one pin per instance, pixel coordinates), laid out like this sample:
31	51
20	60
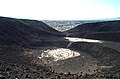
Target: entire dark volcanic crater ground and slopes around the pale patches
23	42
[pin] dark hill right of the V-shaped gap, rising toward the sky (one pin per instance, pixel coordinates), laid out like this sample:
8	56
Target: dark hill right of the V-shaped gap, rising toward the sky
97	27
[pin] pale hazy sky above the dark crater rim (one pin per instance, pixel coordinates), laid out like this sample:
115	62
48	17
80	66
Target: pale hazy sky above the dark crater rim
60	9
